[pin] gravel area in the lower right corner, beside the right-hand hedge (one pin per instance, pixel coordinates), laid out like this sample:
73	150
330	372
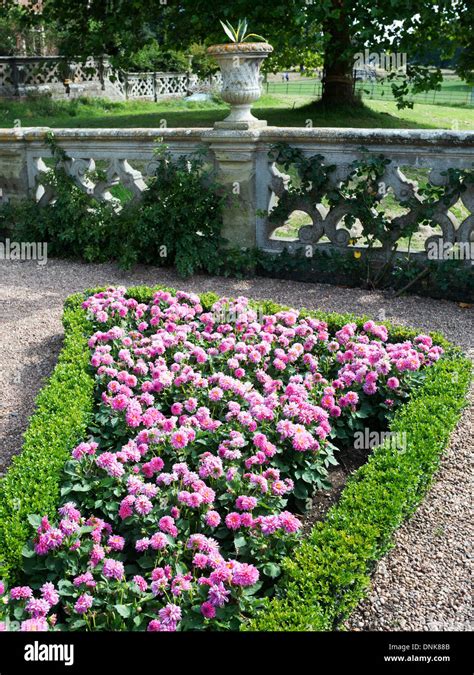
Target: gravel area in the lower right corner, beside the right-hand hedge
425	582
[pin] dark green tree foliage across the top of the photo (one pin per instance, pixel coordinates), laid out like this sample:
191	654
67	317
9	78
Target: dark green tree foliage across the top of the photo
303	32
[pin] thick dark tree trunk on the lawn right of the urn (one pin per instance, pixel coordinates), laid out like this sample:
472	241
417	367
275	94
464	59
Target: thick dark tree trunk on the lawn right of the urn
338	77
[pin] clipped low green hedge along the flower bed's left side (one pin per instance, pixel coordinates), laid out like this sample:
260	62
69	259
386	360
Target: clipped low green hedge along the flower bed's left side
32	484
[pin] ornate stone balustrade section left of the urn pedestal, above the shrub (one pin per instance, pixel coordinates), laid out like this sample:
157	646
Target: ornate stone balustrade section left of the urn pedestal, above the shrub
124	156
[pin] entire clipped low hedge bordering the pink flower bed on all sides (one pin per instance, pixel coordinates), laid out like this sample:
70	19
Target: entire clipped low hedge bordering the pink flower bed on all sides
329	571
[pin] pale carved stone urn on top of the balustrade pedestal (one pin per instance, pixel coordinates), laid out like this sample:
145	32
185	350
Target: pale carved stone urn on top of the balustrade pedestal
240	64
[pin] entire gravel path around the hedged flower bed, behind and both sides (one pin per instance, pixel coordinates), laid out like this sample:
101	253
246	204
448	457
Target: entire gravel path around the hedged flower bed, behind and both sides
423	583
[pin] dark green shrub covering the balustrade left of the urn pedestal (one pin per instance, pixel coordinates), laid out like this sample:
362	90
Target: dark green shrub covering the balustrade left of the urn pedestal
177	222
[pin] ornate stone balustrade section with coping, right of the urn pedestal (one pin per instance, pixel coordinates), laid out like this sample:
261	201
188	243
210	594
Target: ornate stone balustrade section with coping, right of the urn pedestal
413	158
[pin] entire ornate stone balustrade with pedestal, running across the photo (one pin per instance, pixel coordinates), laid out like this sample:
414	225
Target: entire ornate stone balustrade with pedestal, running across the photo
255	183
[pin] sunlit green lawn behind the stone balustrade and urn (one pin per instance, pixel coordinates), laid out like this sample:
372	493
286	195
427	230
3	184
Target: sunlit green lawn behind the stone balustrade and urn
278	110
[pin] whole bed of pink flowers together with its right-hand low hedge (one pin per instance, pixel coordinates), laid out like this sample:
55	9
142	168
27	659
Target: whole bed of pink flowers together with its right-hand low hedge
213	424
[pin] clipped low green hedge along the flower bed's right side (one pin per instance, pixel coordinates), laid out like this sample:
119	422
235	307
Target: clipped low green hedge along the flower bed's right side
329	573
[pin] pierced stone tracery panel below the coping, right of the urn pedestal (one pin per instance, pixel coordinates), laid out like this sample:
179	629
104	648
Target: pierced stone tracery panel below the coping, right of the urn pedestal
414	206
